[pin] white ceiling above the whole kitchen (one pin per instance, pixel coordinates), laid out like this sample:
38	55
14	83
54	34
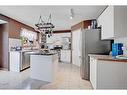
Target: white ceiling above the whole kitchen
60	14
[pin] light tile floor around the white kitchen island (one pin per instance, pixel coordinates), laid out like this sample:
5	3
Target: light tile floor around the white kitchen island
68	77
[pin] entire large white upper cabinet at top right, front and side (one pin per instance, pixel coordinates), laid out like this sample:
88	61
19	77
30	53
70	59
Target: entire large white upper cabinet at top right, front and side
113	22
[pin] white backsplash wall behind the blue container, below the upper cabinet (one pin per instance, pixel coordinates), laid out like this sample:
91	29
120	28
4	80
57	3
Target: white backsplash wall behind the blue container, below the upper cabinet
124	41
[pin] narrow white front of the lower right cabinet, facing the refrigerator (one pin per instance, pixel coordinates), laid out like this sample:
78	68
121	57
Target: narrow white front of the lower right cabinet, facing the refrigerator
93	71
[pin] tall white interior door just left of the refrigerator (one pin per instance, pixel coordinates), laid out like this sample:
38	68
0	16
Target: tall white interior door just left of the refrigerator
76	47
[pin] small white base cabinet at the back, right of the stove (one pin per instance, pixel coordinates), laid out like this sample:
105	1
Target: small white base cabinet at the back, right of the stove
65	56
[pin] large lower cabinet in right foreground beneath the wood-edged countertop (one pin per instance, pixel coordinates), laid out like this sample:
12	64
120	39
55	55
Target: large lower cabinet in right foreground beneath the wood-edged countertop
108	74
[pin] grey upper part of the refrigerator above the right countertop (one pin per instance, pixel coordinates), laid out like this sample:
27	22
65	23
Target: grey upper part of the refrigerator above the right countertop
94	44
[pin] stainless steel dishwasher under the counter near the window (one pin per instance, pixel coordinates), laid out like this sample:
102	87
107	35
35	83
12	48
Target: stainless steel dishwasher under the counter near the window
25	60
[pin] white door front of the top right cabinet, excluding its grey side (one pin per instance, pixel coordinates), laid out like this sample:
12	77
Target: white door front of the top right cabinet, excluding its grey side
106	21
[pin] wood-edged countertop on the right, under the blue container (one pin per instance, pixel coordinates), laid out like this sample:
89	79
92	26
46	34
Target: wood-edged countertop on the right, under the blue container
107	58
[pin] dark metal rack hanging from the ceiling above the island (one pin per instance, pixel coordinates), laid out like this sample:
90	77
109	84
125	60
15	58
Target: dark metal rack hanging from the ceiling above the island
45	27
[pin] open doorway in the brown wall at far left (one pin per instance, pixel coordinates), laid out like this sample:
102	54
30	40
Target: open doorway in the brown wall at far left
3	45
